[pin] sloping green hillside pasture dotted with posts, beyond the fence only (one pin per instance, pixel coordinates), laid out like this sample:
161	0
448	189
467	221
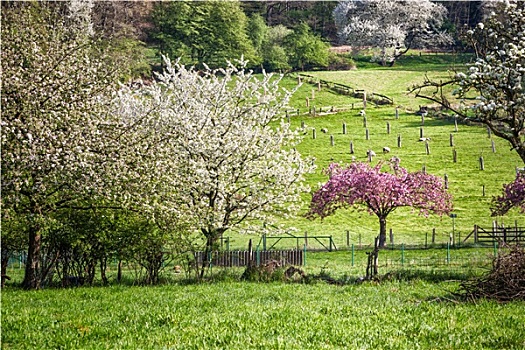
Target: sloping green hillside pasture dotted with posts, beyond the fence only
454	155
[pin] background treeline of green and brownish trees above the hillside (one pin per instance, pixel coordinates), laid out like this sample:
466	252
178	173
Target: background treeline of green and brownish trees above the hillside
274	35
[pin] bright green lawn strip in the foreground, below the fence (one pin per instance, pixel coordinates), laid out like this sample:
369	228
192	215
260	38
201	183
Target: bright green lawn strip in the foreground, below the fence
236	315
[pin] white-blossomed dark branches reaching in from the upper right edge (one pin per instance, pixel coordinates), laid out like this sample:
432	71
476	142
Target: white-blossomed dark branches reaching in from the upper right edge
497	77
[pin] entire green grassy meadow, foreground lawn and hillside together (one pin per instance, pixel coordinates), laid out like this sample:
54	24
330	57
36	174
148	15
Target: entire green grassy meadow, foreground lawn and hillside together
414	309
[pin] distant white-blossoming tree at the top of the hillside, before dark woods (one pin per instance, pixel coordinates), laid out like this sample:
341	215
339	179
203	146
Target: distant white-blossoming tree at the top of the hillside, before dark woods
392	26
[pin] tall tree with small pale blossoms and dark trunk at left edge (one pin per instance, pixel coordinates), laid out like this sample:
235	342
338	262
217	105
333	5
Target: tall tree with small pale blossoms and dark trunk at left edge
53	81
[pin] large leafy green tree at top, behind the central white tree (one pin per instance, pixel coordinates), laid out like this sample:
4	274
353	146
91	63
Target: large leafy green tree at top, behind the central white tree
210	32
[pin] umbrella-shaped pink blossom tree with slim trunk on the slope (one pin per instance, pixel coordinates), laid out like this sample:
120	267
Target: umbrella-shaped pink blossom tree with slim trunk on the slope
380	192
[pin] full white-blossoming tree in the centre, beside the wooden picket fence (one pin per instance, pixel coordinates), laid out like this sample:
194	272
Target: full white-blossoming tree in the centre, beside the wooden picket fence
221	155
